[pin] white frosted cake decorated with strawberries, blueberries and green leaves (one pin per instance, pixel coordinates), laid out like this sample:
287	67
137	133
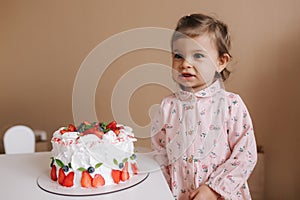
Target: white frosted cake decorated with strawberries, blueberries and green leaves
93	155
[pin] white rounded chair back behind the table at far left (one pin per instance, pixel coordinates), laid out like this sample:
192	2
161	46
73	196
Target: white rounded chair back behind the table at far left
19	139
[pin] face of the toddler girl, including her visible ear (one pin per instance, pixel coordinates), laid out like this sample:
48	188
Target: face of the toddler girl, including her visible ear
195	61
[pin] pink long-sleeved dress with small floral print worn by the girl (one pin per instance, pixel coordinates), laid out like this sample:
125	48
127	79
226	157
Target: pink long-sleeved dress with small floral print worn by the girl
205	138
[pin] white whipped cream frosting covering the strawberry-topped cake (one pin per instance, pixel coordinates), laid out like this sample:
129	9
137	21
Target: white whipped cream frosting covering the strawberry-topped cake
90	150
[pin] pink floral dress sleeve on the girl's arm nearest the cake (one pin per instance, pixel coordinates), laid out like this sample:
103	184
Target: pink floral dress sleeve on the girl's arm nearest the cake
158	142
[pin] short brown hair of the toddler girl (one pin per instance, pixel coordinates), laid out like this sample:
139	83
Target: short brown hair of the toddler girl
199	24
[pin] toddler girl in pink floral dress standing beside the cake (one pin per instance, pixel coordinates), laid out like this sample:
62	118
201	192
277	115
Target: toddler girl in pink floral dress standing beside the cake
203	135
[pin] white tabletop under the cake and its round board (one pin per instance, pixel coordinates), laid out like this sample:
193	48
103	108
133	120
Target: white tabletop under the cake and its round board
19	173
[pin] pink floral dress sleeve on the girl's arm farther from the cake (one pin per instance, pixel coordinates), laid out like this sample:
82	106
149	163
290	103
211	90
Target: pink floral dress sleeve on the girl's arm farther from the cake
234	172
